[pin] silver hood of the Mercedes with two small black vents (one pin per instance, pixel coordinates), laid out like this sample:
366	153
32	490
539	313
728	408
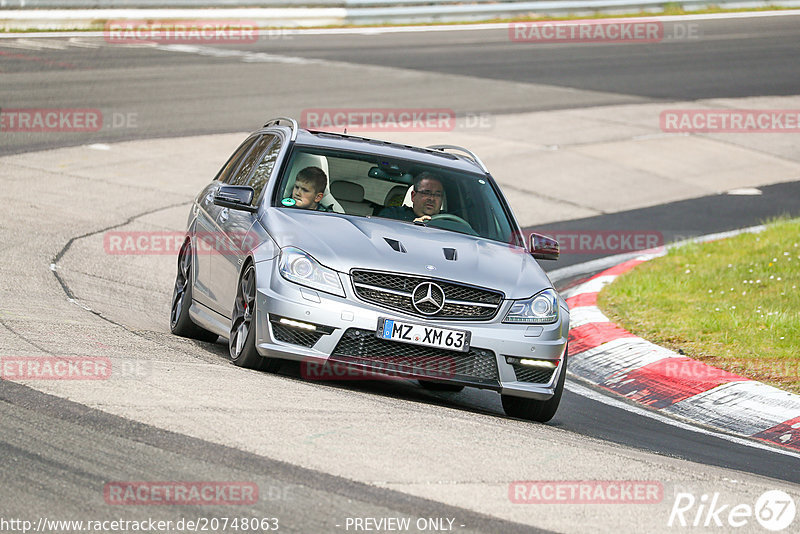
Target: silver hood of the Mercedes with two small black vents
344	242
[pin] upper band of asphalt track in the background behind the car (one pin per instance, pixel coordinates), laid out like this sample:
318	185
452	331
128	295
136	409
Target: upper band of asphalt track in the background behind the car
175	91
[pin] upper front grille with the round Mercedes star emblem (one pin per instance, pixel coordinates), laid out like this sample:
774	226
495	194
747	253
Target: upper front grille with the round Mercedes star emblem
395	292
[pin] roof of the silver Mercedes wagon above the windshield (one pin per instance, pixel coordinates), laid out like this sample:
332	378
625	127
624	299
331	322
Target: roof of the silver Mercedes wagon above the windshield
354	143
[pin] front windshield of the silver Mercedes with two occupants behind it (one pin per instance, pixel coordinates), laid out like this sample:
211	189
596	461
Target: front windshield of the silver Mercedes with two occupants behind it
368	185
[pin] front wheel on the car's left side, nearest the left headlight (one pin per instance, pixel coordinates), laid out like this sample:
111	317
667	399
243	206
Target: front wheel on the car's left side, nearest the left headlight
241	341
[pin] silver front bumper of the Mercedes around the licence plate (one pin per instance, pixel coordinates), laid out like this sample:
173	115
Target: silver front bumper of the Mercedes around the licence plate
302	324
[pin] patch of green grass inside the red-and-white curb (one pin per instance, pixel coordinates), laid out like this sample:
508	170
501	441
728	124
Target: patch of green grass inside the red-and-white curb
733	303
